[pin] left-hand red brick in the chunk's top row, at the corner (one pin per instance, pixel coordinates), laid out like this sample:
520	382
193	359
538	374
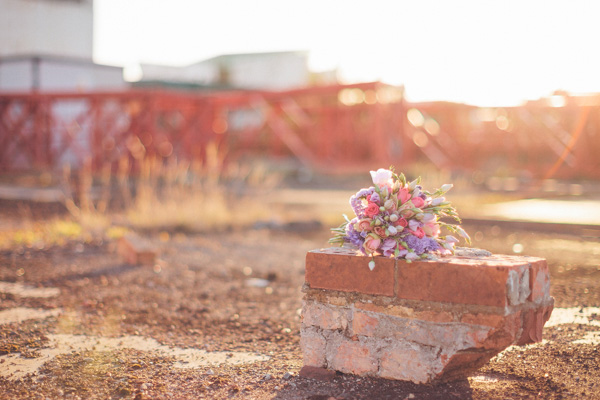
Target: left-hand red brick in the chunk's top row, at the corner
341	269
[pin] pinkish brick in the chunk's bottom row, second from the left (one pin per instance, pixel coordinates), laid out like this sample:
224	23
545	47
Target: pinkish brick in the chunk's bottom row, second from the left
352	357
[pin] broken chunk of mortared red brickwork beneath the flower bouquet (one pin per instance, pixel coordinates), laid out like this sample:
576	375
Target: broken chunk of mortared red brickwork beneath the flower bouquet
419	321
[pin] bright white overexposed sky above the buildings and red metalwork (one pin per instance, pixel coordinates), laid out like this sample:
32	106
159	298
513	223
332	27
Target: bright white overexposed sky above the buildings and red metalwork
486	53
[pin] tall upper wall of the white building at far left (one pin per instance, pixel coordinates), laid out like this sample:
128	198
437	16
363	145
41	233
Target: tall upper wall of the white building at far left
56	27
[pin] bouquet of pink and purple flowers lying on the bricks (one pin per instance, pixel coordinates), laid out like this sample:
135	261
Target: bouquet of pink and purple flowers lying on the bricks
396	218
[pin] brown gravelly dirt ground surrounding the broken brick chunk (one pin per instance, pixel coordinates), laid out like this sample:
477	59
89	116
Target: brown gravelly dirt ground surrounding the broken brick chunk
239	292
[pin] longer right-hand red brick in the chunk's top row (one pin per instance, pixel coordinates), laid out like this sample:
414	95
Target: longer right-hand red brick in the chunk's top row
459	281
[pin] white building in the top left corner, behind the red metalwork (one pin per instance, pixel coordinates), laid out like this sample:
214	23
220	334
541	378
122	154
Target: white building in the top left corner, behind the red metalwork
47	45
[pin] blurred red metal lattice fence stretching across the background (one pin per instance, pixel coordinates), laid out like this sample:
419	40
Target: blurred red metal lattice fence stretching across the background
334	127
